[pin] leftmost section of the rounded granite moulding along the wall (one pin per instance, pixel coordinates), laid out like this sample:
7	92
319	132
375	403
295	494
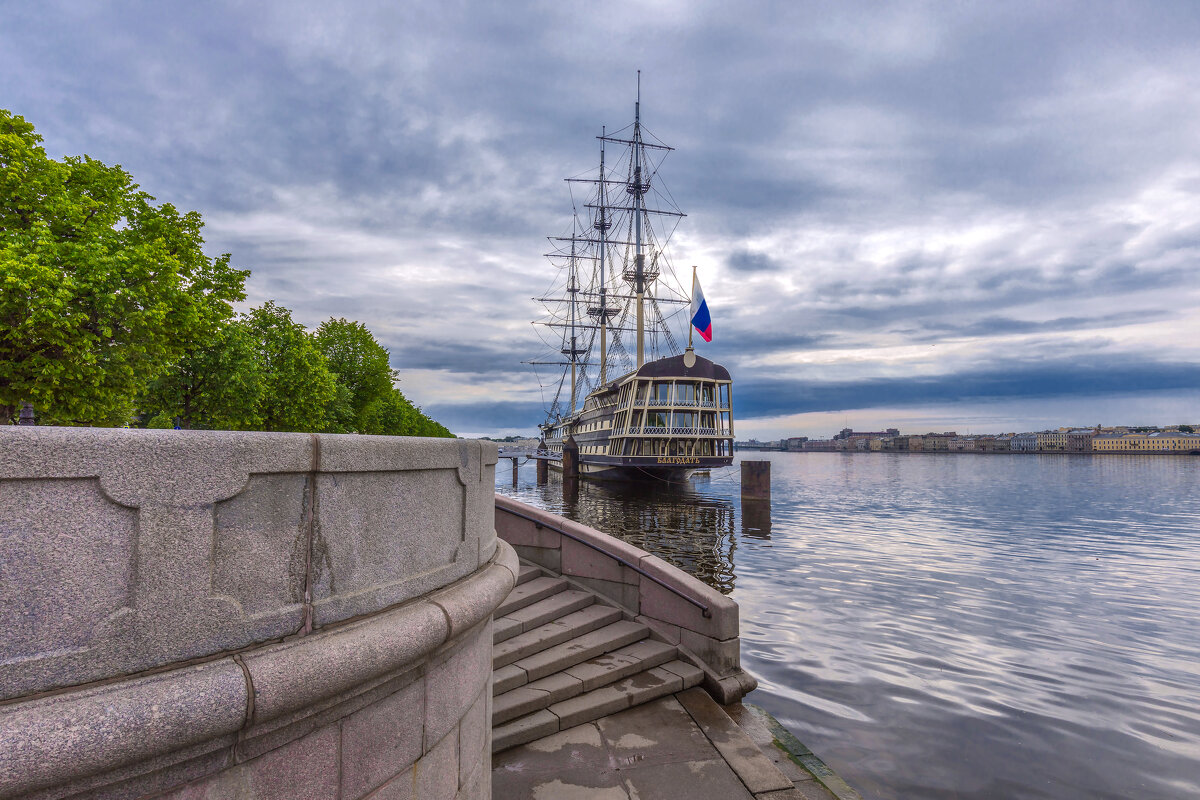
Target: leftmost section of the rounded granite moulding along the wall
68	737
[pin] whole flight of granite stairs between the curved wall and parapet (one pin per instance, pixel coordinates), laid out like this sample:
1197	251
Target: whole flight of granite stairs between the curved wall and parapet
563	657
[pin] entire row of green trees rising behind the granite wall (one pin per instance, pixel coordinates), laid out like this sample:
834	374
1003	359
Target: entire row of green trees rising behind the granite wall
109	305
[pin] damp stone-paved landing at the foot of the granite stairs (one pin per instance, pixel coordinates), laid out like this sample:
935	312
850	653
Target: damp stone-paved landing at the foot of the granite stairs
677	747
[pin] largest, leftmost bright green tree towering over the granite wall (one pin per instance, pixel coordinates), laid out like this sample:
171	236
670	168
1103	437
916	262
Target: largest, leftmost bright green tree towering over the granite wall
100	290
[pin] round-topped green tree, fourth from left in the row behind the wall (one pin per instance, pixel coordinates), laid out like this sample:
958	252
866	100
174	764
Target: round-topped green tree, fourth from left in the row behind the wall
362	368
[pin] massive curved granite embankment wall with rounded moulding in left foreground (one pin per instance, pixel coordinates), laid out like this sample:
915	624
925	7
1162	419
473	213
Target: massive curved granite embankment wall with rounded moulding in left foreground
208	615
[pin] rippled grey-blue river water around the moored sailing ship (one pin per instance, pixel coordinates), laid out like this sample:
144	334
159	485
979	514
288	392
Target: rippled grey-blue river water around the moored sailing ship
953	625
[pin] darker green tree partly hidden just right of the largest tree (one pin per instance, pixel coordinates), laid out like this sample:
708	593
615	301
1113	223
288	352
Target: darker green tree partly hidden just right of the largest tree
215	386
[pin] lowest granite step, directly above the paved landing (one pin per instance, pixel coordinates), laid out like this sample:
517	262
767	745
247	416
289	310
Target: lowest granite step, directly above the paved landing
641	688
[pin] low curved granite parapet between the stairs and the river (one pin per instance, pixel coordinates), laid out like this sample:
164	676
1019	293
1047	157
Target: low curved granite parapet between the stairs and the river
677	607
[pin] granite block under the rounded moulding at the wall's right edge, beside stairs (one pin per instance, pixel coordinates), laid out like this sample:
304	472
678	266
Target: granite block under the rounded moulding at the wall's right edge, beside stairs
453	682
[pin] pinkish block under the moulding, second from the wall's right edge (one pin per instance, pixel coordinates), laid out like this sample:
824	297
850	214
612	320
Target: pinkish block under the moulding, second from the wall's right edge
382	741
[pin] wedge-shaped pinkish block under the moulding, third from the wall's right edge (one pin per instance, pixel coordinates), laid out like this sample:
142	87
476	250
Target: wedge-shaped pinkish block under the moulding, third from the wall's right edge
305	769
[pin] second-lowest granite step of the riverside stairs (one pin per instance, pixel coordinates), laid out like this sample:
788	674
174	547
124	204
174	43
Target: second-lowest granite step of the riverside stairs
595	673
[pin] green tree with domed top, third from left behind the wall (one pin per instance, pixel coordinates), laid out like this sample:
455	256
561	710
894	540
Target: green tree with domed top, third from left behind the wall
298	388
